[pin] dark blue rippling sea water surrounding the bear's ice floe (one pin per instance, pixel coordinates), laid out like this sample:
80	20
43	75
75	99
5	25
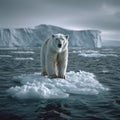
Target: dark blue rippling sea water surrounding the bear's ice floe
103	63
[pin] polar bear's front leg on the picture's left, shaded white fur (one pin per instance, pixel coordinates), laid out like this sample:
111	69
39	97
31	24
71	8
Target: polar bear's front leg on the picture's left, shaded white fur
51	65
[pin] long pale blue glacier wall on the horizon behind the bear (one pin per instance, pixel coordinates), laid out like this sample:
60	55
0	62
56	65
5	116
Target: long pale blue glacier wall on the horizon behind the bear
33	37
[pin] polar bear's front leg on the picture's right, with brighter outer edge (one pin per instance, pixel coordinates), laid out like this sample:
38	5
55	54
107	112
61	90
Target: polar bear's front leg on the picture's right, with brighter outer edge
62	64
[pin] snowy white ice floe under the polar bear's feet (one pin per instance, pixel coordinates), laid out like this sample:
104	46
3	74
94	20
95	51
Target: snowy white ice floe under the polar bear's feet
35	86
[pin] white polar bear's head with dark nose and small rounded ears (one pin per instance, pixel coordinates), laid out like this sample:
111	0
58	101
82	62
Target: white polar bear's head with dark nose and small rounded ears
60	42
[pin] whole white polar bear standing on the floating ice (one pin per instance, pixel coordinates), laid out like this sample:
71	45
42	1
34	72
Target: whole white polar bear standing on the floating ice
54	56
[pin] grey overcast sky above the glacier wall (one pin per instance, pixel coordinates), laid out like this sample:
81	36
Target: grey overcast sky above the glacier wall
103	15
